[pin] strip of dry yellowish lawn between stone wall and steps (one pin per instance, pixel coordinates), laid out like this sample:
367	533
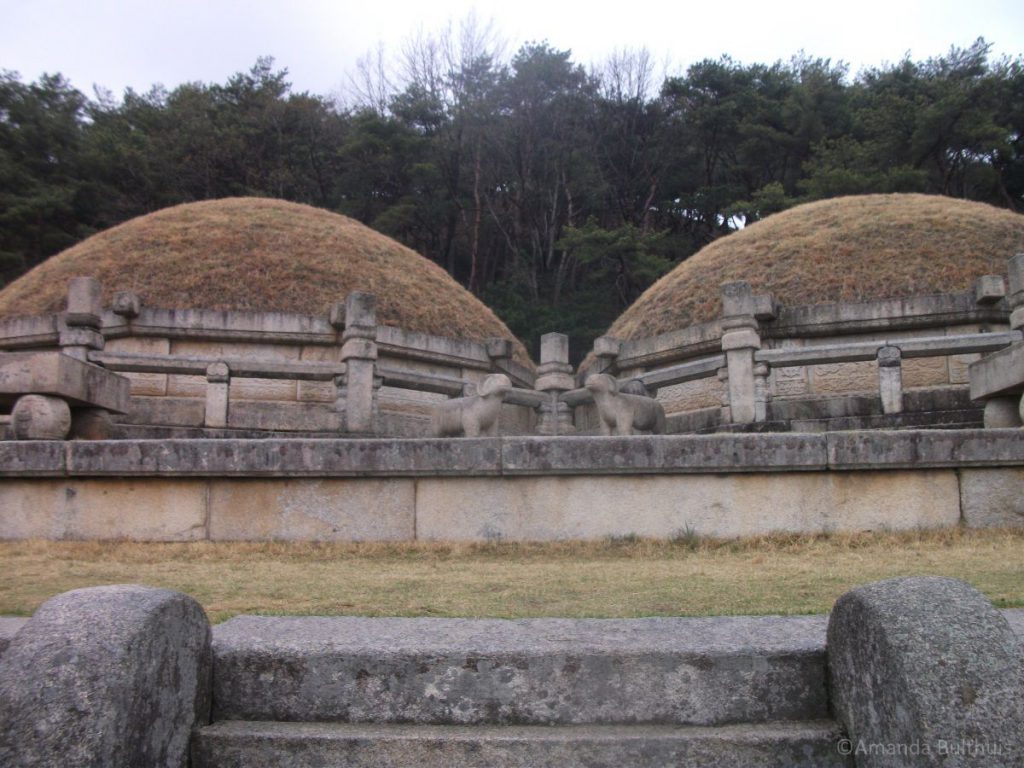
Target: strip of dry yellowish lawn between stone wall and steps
616	578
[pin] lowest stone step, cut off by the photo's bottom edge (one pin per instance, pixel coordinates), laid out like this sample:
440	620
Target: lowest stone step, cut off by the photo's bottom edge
238	744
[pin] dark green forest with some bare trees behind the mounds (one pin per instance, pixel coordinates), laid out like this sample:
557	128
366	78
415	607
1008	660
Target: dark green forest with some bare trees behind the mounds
556	193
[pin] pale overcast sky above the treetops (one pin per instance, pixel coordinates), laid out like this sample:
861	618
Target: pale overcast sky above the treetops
117	45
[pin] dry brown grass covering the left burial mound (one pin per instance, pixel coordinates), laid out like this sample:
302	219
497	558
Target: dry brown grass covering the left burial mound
250	253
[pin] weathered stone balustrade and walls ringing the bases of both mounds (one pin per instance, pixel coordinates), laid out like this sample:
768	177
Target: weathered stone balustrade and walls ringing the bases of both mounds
291	372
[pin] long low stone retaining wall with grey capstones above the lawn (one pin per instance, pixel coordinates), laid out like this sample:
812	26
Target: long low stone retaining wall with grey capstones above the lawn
517	489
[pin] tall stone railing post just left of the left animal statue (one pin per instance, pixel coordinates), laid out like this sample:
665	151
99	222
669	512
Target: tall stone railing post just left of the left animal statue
359	353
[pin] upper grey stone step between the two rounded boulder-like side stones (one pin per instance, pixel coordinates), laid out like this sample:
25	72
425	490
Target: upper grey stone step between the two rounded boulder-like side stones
529	672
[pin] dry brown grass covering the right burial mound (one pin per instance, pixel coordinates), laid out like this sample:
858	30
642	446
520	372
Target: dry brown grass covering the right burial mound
847	249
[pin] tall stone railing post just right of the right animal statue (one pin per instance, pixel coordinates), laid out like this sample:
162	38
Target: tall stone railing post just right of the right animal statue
740	342
